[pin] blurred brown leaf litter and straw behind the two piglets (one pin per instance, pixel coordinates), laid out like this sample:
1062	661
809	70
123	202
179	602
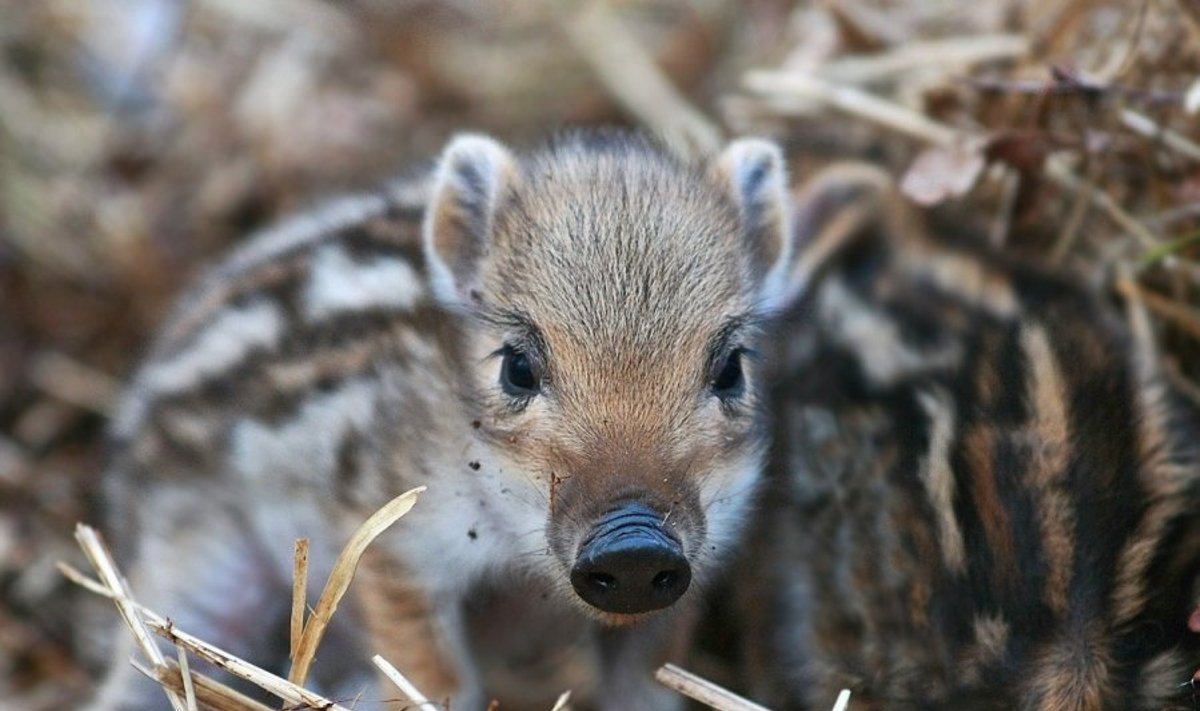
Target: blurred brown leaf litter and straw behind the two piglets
140	139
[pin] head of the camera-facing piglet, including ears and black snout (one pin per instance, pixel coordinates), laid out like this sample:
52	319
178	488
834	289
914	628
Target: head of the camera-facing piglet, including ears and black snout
614	298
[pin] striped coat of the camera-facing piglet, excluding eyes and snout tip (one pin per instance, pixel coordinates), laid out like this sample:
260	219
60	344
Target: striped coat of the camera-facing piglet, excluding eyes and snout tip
328	367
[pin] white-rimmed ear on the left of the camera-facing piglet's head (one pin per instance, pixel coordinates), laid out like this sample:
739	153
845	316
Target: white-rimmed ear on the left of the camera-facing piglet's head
472	178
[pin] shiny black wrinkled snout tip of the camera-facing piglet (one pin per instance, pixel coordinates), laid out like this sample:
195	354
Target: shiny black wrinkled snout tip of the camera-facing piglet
631	564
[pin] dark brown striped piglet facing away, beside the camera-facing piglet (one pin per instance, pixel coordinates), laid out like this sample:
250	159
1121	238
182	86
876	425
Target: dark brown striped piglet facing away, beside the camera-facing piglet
980	495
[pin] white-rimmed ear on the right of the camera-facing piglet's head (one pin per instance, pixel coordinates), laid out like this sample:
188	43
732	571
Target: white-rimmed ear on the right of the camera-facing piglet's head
754	174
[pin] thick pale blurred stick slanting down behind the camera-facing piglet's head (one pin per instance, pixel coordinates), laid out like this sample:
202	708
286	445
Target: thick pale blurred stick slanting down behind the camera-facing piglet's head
638	83
